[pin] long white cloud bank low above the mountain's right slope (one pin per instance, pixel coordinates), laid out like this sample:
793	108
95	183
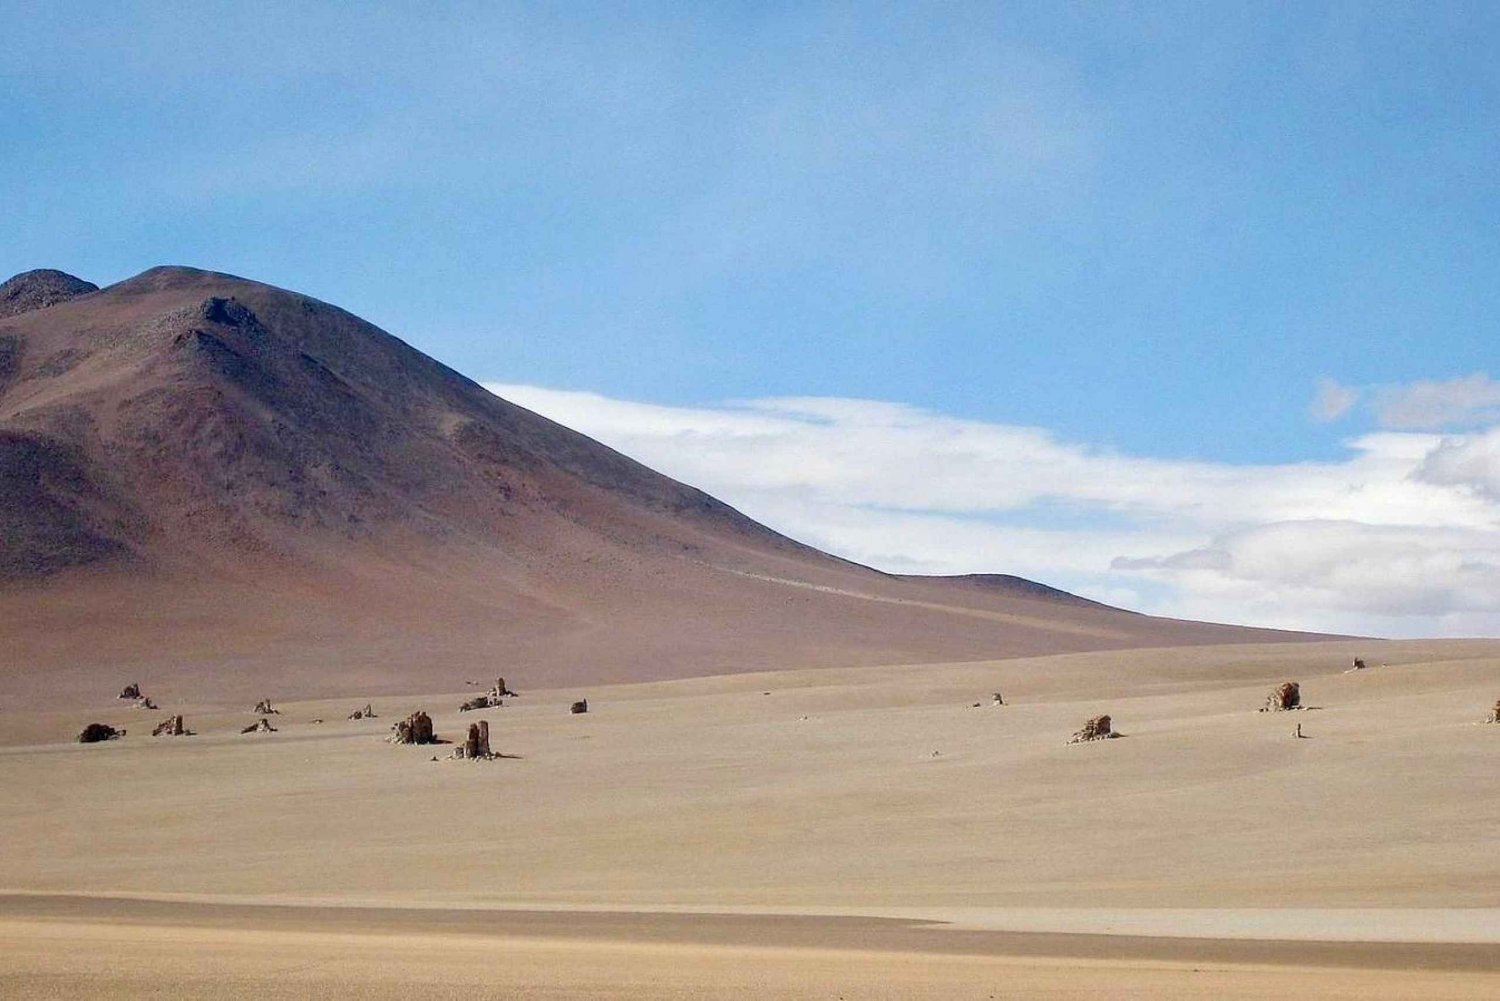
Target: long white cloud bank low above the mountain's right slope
1402	537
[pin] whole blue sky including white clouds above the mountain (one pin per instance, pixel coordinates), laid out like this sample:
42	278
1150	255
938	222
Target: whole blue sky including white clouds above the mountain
1189	308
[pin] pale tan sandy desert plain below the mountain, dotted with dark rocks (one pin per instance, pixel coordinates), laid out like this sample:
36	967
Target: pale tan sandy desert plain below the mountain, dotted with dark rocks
854	834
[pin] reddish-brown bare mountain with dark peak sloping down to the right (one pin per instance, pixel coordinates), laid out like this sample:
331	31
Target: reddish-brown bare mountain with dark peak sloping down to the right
226	488
